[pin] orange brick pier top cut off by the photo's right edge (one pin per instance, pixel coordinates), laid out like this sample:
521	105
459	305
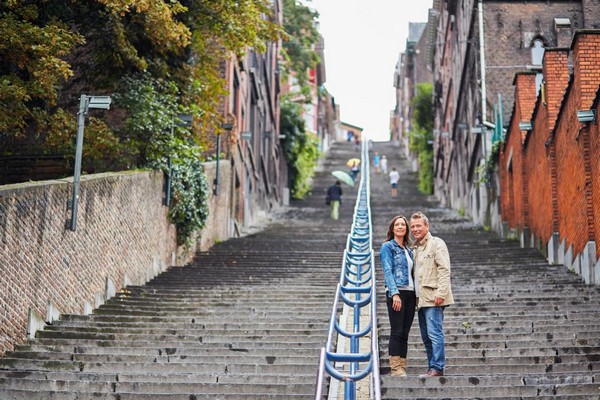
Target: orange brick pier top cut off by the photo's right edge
586	58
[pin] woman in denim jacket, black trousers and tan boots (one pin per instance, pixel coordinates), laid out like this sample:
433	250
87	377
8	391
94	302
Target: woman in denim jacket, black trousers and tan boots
397	262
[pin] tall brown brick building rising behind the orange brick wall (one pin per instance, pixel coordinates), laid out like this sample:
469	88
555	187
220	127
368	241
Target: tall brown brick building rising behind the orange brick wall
478	49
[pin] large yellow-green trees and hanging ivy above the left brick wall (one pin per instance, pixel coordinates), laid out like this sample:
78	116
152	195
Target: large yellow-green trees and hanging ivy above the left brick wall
170	54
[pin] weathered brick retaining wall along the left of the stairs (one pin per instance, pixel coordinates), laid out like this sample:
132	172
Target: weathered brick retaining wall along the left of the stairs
122	235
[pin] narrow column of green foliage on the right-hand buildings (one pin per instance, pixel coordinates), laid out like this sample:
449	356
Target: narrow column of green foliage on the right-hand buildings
421	139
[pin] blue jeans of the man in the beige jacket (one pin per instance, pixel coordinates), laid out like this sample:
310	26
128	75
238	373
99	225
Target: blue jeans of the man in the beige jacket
432	333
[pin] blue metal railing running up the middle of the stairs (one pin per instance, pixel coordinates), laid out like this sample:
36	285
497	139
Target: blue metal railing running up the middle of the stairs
356	289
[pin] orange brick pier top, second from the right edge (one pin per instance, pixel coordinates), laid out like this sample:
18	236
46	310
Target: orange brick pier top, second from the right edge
556	78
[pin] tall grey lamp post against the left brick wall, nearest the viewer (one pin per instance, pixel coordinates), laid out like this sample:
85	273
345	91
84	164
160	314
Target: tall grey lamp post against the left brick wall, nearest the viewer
85	103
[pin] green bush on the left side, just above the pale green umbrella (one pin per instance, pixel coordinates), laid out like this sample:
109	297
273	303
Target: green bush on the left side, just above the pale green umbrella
301	149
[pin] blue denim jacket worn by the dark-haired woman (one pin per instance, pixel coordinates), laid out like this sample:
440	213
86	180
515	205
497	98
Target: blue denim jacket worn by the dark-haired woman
395	266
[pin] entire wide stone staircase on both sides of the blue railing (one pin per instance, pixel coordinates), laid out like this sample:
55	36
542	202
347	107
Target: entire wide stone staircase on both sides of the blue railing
246	319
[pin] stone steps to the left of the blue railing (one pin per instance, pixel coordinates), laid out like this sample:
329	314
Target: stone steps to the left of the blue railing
246	320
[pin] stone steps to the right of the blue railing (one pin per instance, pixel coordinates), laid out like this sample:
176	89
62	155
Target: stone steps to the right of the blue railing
520	328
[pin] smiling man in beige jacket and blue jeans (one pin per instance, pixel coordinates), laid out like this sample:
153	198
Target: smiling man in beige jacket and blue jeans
434	292
